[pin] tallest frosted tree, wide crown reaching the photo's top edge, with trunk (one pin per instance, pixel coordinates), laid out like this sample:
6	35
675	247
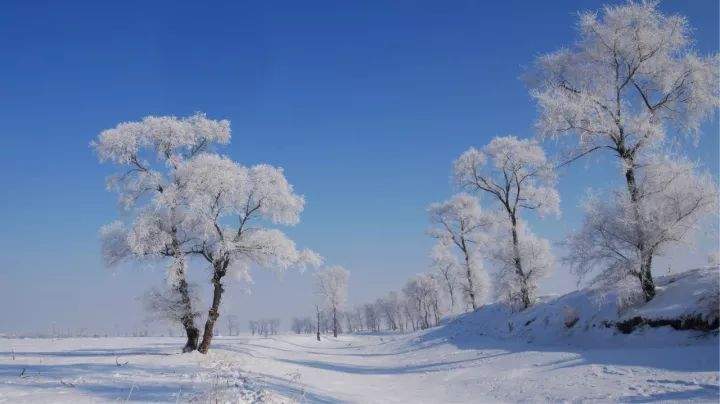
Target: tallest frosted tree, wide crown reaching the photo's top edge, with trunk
631	75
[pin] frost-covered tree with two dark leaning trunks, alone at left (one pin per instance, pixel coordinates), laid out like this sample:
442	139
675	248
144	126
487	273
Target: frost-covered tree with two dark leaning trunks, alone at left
183	196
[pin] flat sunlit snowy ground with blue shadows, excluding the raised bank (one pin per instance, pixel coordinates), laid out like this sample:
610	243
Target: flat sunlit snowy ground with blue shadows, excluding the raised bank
365	369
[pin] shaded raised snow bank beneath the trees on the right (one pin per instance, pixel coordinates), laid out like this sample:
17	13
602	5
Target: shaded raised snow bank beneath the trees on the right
589	317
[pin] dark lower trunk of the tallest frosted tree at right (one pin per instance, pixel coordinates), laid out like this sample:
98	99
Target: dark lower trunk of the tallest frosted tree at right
645	271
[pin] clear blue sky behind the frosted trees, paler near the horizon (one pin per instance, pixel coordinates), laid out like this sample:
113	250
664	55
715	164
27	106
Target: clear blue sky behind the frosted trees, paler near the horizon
365	104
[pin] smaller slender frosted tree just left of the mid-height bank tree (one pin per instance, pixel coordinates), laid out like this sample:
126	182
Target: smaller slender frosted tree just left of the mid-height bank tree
459	222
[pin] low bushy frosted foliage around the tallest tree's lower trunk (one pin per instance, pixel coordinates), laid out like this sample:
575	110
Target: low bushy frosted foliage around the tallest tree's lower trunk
675	197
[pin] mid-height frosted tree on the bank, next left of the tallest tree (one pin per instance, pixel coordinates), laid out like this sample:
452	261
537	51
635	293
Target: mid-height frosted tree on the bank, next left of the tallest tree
515	174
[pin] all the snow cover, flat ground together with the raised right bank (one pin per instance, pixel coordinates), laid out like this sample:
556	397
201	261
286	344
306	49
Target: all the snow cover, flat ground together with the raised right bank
491	355
